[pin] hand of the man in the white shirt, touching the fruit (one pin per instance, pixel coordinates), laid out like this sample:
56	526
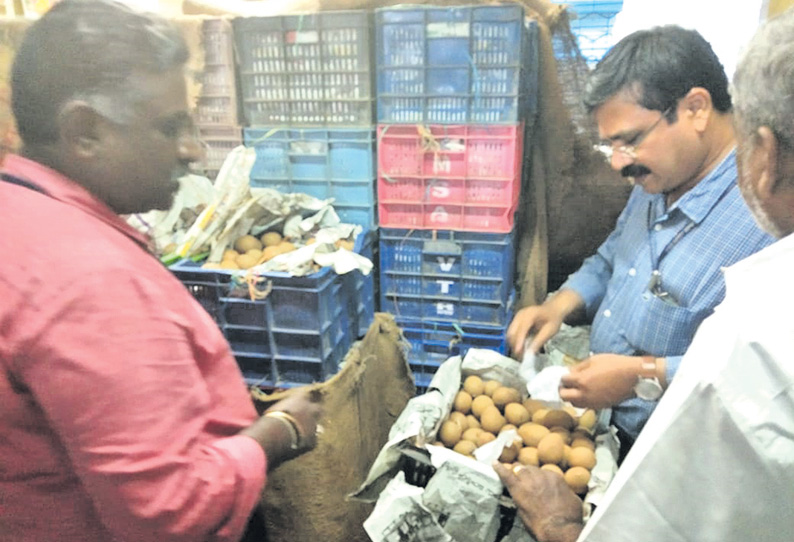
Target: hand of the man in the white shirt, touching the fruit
550	510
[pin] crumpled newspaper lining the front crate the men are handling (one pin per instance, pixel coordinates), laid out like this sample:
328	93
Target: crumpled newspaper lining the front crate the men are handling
463	503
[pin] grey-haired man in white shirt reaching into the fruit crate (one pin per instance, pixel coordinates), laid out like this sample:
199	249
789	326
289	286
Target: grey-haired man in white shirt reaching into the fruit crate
716	460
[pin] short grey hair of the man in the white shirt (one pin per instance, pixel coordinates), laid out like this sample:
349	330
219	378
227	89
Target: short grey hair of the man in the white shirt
763	83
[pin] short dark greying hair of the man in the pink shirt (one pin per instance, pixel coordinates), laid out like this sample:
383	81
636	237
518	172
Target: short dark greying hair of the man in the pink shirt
88	50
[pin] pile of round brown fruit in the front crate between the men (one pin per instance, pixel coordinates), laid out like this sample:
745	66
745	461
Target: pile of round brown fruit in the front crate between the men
555	439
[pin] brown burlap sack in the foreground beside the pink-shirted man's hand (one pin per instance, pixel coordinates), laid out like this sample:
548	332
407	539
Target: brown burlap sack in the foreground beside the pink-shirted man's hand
305	499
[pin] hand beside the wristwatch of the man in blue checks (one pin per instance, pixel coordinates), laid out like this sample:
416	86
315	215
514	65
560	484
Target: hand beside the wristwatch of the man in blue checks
601	381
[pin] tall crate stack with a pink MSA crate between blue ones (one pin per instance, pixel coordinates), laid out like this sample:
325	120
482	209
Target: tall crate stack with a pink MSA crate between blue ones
456	91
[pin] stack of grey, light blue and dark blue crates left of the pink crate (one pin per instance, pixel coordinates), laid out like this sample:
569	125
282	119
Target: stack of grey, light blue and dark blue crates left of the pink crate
307	104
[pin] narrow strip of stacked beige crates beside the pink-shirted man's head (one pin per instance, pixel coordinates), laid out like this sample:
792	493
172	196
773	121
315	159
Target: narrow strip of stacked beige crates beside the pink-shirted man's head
216	110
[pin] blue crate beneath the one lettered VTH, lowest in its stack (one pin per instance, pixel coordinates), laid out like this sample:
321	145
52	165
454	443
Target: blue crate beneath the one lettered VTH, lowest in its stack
433	342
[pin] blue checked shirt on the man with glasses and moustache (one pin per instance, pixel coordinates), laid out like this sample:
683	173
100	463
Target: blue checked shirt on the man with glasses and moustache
629	319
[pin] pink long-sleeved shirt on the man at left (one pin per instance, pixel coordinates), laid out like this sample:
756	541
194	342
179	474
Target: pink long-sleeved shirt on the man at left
120	401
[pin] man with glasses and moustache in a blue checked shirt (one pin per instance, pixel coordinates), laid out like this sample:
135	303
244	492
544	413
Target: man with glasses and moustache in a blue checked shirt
660	99
